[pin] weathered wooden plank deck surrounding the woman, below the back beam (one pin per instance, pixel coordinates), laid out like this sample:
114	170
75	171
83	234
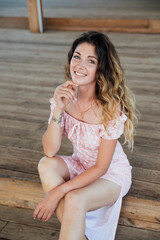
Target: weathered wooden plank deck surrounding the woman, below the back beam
31	67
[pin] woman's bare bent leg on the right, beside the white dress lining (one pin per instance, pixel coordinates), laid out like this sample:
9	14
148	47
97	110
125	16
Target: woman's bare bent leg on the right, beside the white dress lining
77	202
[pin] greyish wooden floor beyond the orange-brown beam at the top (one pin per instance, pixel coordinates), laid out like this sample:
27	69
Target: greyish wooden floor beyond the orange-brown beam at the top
138	9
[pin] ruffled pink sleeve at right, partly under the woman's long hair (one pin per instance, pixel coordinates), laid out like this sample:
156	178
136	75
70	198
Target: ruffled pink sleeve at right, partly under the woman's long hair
114	128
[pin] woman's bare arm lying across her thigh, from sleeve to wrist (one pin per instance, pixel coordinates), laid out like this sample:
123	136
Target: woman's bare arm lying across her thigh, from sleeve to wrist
105	154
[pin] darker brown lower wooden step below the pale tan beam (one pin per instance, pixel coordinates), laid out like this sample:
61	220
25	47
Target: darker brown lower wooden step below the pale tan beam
18	224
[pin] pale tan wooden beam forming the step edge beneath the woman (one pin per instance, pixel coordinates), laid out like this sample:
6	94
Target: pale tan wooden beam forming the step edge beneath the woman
135	212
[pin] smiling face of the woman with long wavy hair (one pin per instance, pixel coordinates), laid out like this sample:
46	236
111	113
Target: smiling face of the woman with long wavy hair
83	65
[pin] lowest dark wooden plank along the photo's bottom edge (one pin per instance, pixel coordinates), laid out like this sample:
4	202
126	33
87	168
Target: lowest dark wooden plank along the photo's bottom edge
18	231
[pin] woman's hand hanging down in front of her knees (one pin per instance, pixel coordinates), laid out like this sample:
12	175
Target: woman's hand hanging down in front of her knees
46	208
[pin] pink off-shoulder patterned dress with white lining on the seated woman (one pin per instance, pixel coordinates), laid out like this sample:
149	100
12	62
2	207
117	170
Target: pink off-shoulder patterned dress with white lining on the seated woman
101	224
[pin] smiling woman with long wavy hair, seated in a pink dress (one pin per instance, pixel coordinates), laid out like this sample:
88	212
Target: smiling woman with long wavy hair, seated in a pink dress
93	108
